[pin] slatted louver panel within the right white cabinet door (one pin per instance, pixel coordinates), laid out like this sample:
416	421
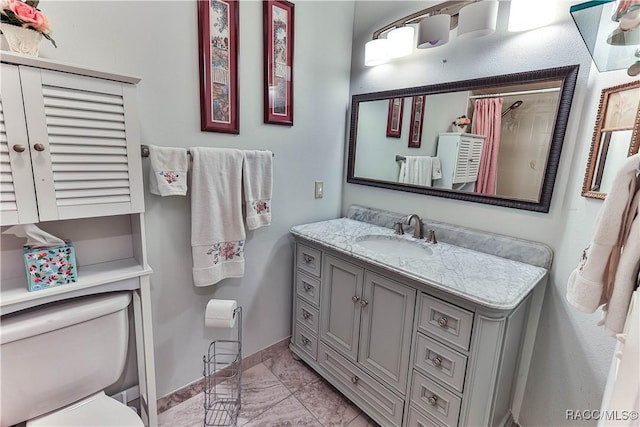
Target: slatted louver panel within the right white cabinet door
88	146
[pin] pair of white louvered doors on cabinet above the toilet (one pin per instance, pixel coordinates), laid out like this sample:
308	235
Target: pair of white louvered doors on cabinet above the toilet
69	149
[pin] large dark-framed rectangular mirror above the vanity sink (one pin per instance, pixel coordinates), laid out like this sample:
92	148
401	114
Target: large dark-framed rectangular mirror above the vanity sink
494	140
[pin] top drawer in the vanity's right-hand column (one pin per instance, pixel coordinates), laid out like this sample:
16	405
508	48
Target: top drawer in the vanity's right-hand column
448	322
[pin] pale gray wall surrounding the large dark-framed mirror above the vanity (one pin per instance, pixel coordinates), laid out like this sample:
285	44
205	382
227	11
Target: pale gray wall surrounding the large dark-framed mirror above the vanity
571	355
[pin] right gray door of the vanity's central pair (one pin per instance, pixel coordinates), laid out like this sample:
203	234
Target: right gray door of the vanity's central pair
385	332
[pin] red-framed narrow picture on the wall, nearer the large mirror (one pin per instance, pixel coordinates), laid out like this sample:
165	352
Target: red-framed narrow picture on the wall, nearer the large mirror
278	18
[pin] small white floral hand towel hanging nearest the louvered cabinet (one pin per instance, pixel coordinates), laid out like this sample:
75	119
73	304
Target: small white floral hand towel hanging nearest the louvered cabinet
168	171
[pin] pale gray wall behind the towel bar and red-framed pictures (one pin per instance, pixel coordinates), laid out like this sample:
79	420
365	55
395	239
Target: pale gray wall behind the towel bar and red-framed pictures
157	40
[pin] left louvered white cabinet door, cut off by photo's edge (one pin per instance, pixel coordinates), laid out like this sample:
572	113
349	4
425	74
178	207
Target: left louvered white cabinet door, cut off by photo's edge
17	194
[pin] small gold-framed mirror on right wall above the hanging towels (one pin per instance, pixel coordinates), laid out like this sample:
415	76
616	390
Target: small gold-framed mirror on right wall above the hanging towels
615	137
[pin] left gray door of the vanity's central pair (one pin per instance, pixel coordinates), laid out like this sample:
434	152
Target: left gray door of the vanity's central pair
341	292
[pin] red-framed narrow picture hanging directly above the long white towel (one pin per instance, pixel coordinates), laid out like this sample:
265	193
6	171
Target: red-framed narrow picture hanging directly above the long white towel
218	42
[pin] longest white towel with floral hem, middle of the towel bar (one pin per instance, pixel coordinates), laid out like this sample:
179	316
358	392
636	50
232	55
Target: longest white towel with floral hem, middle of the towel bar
217	229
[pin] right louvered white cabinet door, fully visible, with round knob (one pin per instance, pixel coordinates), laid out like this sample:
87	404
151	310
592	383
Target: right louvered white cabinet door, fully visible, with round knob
84	144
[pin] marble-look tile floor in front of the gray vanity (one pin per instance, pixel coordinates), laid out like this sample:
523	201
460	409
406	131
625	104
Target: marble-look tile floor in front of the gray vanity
279	391
